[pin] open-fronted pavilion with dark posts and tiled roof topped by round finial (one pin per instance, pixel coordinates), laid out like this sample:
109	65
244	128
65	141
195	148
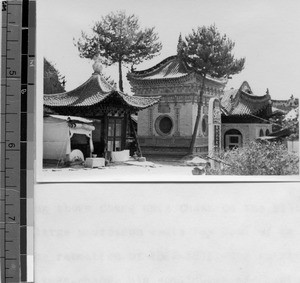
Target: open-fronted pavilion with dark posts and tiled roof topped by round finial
109	110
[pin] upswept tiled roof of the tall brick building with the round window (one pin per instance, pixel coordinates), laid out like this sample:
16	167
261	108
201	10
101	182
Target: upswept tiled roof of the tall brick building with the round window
170	68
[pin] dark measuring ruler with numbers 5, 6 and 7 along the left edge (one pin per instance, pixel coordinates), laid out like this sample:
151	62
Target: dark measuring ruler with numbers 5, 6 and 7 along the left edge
17	140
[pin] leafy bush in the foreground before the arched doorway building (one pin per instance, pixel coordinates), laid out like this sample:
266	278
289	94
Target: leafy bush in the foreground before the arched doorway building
258	158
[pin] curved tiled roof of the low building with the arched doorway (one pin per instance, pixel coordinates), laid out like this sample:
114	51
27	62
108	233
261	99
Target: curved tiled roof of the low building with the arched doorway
243	102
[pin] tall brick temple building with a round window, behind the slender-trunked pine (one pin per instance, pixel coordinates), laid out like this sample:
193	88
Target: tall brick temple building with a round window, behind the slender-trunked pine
166	128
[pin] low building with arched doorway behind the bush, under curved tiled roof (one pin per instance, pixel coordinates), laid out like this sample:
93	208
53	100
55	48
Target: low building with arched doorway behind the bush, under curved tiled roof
244	116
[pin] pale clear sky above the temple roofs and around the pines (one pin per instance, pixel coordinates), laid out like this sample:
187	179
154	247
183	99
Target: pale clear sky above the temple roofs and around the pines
266	32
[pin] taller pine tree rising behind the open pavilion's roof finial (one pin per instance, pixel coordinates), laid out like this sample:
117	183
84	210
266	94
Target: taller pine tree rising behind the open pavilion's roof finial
118	38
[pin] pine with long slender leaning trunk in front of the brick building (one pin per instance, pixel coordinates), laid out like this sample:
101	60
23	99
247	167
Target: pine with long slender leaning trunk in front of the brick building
209	53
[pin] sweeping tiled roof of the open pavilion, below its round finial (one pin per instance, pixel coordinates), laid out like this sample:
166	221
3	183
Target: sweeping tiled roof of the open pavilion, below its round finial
96	90
